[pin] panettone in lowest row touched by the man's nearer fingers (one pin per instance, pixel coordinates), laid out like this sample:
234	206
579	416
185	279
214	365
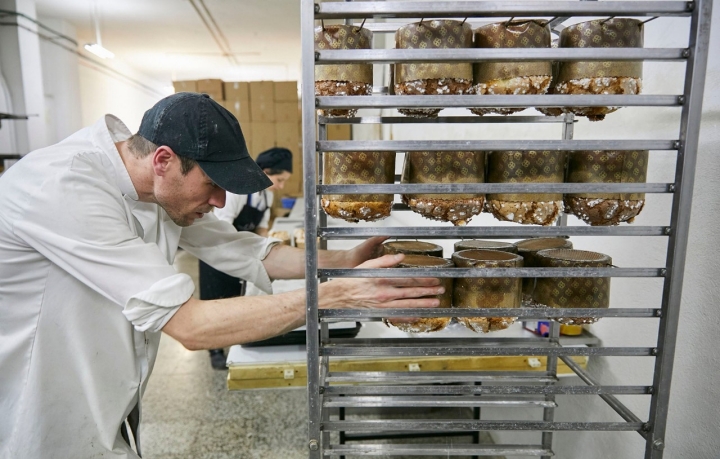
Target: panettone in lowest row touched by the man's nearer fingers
426	324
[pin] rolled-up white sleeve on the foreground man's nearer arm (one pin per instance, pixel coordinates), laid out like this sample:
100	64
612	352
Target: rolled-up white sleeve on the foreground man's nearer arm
94	243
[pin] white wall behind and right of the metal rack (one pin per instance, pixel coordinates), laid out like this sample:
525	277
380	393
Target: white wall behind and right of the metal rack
693	422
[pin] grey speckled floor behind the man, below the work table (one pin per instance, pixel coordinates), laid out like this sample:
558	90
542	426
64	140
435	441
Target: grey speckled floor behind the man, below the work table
189	413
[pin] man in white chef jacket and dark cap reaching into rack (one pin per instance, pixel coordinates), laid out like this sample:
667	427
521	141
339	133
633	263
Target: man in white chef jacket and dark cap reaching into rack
89	228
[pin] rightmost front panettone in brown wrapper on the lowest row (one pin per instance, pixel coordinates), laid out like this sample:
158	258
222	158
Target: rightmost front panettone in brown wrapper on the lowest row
573	292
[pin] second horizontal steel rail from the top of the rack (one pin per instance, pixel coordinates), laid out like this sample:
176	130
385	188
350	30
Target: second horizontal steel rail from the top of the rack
384	56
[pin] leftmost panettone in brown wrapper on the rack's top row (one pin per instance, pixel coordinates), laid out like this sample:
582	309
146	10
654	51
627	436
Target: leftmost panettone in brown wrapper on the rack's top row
343	37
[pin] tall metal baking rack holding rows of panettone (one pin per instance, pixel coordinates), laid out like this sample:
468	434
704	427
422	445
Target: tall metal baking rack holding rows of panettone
327	391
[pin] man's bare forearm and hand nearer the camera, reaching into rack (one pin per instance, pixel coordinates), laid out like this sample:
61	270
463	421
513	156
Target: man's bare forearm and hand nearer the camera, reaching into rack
219	323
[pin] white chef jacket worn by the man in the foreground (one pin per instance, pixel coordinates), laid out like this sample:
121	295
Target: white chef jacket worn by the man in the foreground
86	286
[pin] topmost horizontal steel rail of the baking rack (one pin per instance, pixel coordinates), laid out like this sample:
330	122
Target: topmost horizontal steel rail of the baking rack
528	8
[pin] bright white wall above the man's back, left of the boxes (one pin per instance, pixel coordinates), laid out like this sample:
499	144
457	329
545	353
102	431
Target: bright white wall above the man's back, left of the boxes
63	89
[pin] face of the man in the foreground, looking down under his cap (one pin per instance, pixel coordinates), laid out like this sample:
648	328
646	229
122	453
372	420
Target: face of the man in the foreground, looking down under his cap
186	198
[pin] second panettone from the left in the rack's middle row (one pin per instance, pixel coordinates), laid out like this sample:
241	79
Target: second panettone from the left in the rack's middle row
445	167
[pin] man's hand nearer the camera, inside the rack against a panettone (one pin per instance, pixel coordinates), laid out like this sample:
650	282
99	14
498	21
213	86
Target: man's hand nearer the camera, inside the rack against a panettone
375	293
